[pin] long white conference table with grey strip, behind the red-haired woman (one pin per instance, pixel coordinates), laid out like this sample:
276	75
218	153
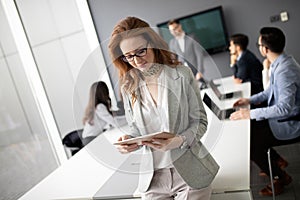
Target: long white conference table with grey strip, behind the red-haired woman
99	171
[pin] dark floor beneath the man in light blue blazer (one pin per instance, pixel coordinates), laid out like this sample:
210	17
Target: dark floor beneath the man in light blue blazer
292	192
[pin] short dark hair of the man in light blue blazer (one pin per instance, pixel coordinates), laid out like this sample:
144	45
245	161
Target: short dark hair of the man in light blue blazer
273	38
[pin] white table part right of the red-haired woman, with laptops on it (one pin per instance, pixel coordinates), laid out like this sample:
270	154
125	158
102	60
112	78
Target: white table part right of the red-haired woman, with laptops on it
229	142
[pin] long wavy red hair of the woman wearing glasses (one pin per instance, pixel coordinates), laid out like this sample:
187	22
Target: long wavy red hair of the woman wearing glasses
135	27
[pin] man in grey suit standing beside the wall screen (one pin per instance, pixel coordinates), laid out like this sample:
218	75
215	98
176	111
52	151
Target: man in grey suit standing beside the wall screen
187	49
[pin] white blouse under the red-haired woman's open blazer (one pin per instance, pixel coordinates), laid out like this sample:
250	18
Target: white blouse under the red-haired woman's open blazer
156	117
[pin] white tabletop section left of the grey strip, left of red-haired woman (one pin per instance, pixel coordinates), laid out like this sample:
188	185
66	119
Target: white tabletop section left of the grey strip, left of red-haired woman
84	173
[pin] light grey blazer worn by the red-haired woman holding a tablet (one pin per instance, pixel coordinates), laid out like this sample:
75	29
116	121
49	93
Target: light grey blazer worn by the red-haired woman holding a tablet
186	117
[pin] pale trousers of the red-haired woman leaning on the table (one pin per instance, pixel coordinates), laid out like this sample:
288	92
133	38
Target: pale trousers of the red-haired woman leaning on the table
167	184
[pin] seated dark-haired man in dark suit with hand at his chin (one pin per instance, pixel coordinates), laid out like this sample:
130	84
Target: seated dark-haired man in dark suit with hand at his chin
245	65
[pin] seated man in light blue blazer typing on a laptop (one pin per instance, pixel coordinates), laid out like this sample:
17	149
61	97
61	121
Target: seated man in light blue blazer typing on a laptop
280	123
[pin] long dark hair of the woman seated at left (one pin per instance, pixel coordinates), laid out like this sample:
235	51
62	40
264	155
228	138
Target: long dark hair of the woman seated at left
99	93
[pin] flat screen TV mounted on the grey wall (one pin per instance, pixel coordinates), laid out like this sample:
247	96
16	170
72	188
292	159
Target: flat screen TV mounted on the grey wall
207	26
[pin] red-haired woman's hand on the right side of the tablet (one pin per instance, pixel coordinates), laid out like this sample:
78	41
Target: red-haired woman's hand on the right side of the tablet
164	144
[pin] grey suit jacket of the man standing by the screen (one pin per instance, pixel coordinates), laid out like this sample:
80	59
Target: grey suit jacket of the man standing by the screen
193	53
